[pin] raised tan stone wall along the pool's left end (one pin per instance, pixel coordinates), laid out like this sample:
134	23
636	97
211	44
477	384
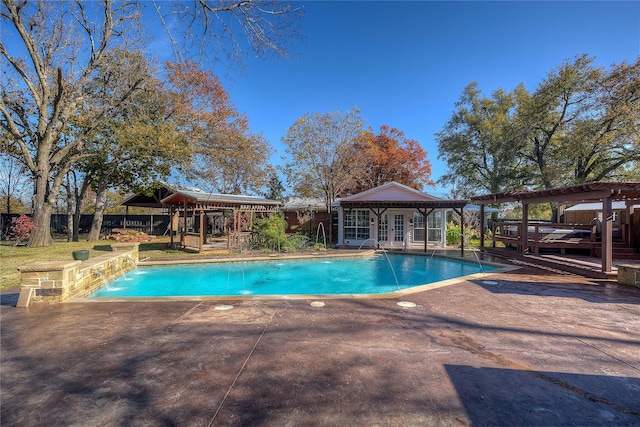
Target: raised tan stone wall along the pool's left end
52	282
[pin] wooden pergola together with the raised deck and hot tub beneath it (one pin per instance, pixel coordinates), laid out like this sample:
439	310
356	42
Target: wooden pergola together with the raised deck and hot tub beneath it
597	237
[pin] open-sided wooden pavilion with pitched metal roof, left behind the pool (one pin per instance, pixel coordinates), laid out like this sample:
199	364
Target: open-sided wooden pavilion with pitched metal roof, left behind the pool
193	205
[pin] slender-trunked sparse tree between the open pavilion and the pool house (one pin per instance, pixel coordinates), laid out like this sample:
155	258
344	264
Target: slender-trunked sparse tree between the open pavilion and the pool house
324	160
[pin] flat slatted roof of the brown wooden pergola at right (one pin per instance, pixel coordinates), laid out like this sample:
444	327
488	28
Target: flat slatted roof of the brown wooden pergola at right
587	192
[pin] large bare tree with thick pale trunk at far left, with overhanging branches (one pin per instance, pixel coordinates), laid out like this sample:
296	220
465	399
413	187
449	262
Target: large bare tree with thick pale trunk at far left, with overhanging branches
57	48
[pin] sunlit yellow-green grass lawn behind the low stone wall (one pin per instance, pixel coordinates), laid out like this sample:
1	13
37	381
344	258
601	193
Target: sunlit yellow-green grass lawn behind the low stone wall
13	257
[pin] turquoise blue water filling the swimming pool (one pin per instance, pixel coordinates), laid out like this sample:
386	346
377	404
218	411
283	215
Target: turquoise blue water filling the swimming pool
322	276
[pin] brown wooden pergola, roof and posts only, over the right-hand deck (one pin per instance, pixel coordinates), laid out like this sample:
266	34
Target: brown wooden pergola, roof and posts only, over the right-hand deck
604	192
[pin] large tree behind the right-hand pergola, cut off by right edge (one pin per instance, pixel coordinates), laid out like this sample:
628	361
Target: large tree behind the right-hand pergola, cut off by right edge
582	123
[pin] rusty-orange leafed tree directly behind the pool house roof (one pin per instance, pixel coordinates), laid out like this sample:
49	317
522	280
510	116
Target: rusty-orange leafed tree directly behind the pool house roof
390	156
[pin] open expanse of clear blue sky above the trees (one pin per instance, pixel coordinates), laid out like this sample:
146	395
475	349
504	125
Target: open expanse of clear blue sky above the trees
405	64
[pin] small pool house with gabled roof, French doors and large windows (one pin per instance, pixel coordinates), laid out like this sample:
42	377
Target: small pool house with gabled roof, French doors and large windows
394	216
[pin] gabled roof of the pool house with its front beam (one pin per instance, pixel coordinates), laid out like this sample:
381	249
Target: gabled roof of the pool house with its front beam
394	194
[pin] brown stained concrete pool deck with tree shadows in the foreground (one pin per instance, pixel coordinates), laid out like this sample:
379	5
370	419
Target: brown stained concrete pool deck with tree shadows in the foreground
536	348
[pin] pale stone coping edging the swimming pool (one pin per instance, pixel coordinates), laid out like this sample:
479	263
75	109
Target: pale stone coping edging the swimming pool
500	268
